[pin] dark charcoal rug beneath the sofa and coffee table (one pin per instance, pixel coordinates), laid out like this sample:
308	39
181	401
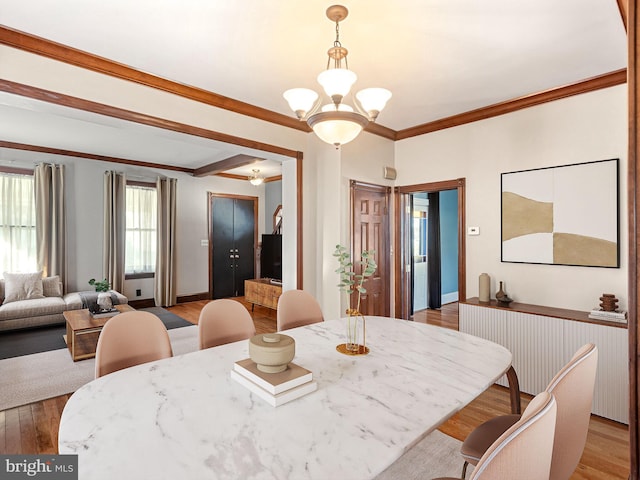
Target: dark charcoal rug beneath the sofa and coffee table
44	339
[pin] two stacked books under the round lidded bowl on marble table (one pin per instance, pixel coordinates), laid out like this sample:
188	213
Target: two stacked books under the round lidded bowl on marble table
275	388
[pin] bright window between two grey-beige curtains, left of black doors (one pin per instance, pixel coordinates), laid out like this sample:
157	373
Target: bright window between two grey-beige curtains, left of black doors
140	249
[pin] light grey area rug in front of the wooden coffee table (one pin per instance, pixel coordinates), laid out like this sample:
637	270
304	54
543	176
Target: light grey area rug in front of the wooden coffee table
31	378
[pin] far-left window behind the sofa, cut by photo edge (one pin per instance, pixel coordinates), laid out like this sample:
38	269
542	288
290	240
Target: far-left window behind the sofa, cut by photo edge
17	223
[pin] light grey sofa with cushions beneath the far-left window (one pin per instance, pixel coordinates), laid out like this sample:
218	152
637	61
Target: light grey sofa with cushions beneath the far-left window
26	302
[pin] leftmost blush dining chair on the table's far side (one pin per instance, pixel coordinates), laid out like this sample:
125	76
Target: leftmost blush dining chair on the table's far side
131	338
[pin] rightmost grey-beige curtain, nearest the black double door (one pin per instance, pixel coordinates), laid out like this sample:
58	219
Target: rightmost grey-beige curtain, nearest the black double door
165	276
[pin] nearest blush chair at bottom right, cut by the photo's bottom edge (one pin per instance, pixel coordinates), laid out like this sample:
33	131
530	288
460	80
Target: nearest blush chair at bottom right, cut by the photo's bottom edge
525	449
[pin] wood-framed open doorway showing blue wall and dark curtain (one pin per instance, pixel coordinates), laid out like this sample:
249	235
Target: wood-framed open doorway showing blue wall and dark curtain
430	246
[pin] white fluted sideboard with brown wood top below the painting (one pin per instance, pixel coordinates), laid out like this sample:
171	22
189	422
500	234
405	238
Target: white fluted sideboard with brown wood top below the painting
543	339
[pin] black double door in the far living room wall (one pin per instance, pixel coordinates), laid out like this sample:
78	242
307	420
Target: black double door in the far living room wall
233	244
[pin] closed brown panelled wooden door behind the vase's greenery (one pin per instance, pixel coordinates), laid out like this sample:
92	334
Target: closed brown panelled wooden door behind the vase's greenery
370	231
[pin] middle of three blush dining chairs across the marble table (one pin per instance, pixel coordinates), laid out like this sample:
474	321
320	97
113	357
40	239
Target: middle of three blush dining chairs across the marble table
224	321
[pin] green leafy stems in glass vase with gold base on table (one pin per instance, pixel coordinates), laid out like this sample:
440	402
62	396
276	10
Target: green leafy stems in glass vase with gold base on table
351	282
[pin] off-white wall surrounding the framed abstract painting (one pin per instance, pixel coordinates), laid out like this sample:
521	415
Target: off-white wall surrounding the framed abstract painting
582	128
